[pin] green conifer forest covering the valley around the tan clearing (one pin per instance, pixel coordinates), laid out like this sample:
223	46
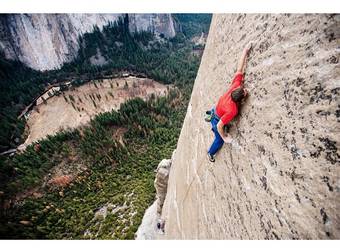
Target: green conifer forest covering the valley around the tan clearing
110	162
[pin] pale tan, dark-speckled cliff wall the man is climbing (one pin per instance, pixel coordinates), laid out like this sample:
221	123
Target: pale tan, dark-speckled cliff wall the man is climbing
280	179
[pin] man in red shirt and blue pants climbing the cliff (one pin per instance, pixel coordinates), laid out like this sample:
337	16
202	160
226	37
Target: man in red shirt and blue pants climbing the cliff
227	107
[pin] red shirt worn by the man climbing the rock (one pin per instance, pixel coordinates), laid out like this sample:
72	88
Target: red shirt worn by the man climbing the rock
226	108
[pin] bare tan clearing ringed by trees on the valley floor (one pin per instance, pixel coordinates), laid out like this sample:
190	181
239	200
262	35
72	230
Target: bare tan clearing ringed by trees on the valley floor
78	106
